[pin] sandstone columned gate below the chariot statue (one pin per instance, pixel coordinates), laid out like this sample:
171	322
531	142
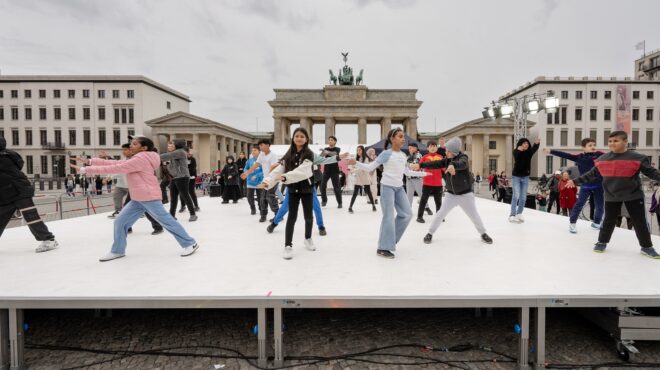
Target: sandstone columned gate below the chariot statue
337	104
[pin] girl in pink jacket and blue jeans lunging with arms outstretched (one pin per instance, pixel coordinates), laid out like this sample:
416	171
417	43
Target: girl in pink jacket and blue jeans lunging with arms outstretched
145	193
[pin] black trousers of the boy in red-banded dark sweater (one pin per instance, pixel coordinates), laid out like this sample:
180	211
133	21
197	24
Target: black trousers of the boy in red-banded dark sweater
637	214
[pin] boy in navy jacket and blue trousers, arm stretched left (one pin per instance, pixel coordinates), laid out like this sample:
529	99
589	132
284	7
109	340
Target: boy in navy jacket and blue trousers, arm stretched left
585	162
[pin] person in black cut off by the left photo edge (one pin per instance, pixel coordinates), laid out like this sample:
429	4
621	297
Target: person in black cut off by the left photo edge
16	193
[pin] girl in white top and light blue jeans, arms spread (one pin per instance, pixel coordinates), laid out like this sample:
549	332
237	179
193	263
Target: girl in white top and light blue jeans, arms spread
393	197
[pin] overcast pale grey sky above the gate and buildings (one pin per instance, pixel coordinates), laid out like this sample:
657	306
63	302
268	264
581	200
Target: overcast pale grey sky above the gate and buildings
228	56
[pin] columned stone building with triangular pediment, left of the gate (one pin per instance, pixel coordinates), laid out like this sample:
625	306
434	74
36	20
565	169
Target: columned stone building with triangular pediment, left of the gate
210	141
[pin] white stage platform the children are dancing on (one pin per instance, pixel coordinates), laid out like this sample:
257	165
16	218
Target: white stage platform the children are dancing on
535	265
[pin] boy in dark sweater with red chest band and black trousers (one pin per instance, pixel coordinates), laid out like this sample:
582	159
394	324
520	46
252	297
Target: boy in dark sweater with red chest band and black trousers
620	170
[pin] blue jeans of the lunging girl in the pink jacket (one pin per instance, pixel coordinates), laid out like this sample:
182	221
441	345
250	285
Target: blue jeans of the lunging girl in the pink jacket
132	212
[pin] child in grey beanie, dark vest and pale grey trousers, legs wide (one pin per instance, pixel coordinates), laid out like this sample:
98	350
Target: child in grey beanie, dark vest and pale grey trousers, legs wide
458	183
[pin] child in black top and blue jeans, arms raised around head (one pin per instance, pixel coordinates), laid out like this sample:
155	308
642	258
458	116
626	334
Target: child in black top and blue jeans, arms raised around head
522	157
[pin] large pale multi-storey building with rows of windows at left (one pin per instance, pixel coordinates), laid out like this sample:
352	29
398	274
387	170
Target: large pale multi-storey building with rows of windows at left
47	119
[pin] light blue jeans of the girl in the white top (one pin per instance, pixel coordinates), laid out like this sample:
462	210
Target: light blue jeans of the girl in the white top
392	228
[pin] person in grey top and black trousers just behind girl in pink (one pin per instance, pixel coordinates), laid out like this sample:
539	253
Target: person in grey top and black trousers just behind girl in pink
178	169
